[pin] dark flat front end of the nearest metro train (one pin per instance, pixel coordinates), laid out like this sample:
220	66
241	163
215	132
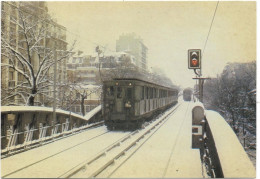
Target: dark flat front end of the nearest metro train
118	104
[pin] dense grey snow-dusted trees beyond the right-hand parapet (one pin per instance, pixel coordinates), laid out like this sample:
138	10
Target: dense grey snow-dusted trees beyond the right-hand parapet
233	94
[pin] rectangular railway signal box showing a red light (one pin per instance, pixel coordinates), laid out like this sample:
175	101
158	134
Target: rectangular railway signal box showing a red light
194	58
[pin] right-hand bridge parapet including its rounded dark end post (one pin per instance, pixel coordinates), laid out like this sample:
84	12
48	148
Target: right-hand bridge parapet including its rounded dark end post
221	152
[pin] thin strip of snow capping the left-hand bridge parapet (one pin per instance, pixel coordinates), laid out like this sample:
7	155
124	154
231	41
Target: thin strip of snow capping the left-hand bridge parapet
48	109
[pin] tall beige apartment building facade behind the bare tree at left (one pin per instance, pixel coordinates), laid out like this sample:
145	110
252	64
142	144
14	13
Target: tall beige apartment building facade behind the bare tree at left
54	39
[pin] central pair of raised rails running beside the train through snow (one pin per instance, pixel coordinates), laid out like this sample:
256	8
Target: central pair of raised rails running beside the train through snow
108	160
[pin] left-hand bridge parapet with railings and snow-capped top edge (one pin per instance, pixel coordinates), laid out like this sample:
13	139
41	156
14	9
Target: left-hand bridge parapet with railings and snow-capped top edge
25	126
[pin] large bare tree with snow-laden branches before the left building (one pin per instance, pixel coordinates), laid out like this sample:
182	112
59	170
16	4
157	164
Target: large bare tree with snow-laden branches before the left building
34	56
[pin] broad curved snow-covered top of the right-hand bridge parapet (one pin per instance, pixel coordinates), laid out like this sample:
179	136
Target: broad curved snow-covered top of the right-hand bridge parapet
233	159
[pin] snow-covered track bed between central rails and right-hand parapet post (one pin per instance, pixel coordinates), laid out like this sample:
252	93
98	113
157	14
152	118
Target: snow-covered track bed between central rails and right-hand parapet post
167	153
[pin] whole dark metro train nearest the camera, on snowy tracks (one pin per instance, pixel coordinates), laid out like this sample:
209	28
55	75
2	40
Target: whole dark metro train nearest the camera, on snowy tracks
128	102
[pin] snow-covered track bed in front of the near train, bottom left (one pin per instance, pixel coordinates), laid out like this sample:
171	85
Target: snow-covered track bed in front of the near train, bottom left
52	160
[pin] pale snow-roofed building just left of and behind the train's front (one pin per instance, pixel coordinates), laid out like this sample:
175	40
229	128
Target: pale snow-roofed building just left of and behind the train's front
87	73
